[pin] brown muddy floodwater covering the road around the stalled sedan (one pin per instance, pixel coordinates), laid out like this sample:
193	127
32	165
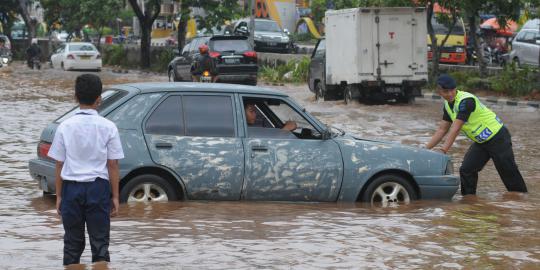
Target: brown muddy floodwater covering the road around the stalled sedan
495	230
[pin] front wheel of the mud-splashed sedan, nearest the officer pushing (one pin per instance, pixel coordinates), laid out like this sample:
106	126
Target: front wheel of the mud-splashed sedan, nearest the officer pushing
389	189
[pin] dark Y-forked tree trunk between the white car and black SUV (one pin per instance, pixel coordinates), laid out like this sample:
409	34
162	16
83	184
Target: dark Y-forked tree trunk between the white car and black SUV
146	20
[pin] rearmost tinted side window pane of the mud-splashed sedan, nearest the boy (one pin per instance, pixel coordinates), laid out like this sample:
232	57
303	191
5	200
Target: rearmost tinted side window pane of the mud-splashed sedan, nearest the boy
166	119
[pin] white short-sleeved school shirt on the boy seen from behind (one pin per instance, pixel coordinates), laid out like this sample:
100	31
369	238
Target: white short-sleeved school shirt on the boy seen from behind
84	142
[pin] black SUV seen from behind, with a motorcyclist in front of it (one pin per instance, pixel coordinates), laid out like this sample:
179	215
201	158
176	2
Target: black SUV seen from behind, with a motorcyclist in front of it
235	59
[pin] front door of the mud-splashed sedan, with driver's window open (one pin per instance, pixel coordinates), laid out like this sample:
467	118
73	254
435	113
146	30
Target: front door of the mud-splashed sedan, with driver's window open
283	167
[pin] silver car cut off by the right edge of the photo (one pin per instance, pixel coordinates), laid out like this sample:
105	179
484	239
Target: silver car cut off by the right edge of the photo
526	44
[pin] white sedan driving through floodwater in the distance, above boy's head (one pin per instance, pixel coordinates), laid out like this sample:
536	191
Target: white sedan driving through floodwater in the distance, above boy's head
77	55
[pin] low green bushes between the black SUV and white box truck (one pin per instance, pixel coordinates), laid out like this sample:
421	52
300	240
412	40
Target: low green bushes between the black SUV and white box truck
295	71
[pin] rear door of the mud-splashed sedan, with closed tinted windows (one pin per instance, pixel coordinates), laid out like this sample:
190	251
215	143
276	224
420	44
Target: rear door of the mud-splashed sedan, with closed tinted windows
195	135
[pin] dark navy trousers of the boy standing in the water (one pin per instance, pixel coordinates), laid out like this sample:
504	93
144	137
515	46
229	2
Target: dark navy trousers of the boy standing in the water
86	203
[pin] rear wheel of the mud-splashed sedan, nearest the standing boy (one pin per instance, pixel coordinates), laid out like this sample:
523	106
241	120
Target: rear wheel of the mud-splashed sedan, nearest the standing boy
147	188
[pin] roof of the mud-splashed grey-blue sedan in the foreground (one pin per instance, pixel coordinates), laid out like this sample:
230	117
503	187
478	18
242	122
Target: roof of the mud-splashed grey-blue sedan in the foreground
153	87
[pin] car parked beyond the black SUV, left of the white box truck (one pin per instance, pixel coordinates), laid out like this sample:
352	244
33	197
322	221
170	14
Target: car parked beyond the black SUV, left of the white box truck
268	35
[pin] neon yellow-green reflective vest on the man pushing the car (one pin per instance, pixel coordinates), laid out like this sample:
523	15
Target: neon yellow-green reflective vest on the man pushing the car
482	124
